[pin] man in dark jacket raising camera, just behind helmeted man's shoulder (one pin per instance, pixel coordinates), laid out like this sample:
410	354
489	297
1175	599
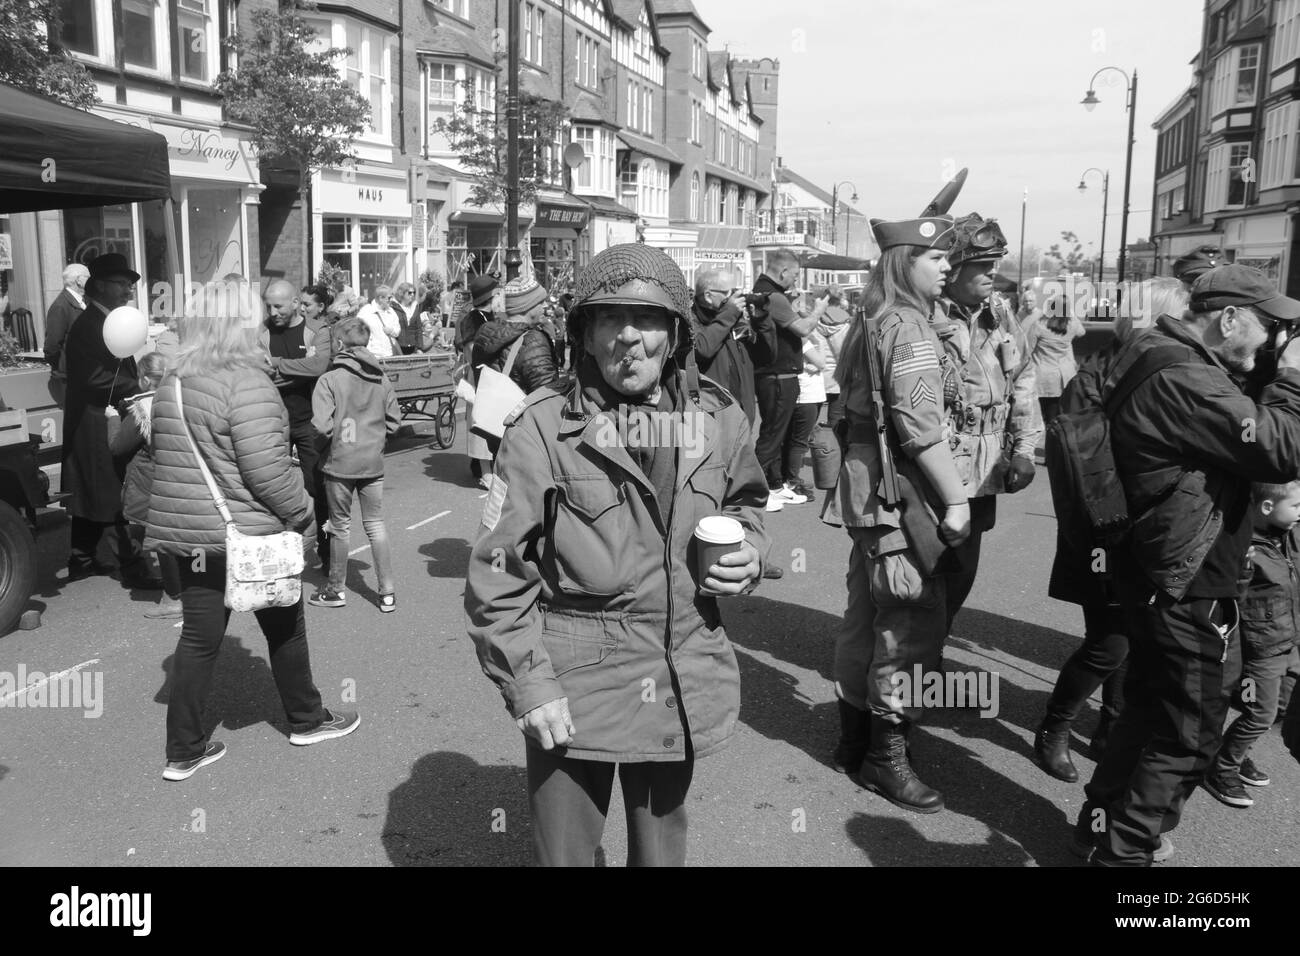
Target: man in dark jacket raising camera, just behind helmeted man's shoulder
727	347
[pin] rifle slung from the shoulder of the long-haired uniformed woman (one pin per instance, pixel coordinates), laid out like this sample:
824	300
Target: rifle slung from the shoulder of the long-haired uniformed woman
902	490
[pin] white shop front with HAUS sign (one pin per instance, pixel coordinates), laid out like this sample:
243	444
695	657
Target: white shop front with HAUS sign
362	224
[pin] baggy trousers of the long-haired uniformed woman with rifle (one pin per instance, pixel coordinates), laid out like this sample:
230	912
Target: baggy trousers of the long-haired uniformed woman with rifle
894	630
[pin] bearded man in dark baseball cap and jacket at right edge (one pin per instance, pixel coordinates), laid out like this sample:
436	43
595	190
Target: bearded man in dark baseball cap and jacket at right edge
1188	445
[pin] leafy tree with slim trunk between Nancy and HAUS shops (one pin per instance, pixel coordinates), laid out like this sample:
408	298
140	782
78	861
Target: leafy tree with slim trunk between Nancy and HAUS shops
304	114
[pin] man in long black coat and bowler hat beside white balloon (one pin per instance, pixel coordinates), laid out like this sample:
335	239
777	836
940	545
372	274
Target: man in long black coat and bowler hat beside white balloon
98	380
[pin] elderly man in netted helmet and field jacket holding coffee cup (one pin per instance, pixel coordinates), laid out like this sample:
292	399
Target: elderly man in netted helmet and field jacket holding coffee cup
586	594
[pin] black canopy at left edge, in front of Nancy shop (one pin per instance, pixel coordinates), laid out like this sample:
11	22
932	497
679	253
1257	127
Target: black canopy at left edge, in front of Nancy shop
58	158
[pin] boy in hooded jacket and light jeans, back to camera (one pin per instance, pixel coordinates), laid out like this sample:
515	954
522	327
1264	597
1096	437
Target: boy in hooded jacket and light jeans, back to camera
356	408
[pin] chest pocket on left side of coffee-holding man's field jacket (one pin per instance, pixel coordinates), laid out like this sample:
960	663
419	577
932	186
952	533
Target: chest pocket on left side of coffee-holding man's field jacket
592	537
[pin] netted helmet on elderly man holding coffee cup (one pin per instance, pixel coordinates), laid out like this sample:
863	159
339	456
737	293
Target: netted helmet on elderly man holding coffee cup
632	274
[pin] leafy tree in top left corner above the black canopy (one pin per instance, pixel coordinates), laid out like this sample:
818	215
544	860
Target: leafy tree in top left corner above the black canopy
34	59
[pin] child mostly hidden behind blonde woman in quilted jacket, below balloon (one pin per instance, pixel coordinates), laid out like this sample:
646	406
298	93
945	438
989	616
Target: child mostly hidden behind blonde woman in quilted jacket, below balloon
129	432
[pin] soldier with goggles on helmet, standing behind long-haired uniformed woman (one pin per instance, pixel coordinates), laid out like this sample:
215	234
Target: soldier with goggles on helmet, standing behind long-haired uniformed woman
995	416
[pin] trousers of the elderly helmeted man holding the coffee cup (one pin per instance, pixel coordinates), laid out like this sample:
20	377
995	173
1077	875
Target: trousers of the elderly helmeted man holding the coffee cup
570	801
